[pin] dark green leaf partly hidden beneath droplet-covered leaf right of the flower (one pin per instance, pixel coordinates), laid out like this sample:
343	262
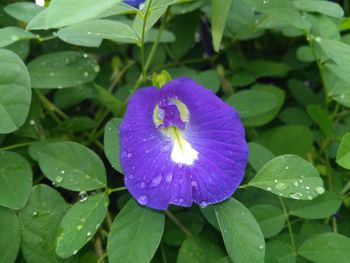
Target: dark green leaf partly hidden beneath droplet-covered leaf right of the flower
321	207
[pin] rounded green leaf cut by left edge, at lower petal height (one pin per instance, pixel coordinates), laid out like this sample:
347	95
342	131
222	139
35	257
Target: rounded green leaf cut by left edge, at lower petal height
15	180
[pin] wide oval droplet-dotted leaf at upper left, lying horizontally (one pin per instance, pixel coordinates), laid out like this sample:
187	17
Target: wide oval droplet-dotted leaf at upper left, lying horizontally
62	69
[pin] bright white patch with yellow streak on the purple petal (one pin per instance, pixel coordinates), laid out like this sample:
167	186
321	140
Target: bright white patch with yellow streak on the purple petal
183	151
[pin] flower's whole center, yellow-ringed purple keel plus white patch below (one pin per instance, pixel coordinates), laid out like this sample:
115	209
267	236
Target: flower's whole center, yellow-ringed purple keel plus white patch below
171	116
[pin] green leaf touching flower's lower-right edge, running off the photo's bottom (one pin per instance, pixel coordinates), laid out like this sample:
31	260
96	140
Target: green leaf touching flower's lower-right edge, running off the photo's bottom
243	238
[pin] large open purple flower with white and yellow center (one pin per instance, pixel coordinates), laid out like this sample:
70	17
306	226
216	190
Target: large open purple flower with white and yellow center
181	144
